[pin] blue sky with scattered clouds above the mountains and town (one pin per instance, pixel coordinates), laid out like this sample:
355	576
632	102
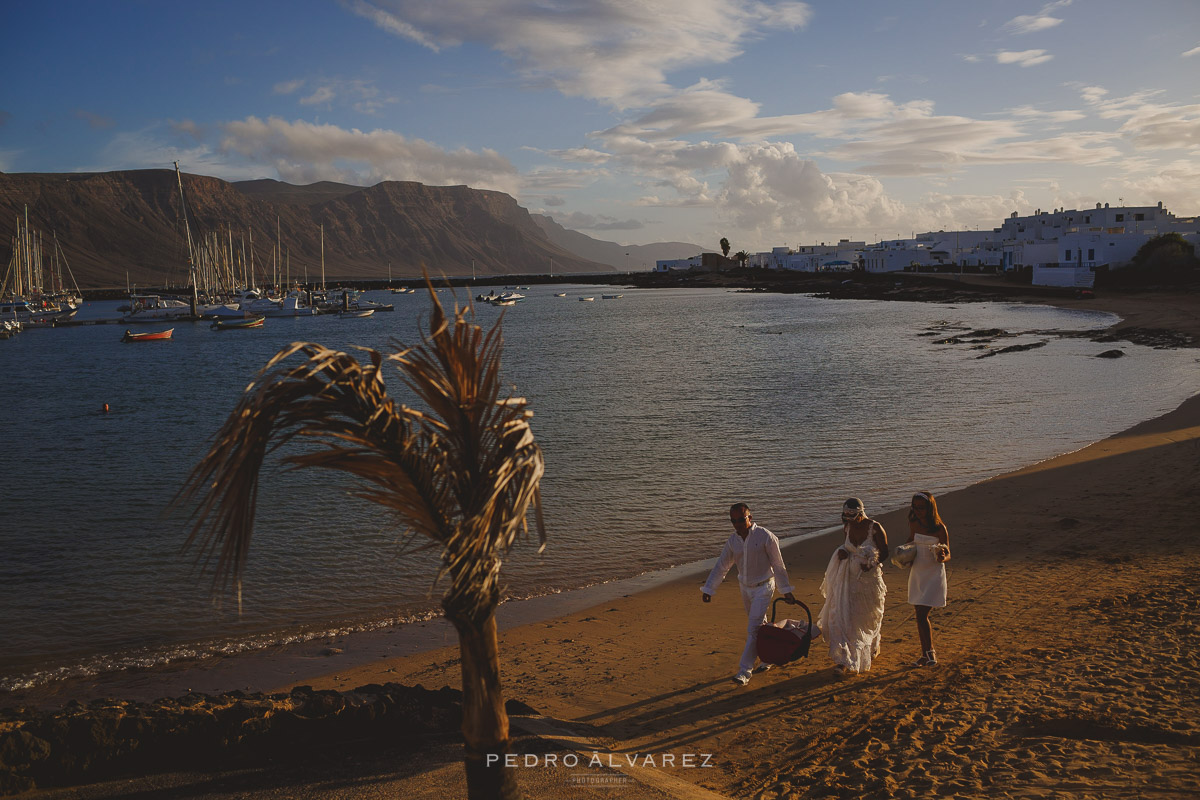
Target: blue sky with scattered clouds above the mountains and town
767	123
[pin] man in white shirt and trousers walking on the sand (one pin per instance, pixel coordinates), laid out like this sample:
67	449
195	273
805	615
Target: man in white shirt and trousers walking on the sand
755	550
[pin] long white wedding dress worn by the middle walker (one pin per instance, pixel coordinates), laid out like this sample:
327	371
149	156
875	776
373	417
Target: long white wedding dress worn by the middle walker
854	609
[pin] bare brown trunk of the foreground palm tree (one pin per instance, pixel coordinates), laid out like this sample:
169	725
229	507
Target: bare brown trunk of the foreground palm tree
485	724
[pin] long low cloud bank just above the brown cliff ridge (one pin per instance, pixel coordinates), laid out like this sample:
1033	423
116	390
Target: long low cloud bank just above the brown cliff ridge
304	153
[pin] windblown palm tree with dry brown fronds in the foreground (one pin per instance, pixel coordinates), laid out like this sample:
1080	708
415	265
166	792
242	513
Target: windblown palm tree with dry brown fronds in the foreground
464	473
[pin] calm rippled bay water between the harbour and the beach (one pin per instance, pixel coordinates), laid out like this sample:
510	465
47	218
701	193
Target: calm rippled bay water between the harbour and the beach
656	412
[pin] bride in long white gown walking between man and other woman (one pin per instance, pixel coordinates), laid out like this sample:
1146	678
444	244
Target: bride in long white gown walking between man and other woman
854	591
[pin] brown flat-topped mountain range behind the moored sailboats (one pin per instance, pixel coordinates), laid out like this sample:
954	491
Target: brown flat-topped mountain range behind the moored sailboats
128	227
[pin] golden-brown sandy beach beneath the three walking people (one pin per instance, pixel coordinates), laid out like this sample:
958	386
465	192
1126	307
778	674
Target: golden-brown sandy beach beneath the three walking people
1070	661
